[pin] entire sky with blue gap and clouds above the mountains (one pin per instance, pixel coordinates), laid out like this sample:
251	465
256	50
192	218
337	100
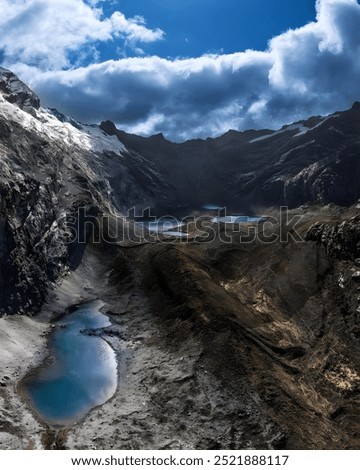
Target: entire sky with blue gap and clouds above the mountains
186	68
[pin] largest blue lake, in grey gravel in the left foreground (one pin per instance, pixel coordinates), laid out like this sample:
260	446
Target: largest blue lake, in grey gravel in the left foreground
82	370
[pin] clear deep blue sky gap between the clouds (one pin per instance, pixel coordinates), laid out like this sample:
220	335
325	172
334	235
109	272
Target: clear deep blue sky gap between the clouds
197	27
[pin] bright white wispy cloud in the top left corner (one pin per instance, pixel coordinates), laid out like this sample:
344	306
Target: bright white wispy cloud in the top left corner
45	33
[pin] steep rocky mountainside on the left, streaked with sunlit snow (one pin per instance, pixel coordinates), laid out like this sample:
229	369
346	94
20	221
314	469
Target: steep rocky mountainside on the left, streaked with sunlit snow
50	167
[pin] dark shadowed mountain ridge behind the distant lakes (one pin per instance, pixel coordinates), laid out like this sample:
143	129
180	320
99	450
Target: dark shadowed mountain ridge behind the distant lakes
311	161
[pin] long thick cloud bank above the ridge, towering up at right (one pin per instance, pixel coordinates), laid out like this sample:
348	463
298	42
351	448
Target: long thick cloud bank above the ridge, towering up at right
314	69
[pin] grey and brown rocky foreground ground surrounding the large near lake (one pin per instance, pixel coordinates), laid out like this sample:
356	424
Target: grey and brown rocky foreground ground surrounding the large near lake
220	346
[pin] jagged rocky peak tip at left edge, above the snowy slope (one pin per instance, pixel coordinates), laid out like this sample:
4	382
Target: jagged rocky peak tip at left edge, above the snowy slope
16	92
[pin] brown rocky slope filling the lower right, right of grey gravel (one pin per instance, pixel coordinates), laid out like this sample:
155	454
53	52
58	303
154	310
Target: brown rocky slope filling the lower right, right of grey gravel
278	325
